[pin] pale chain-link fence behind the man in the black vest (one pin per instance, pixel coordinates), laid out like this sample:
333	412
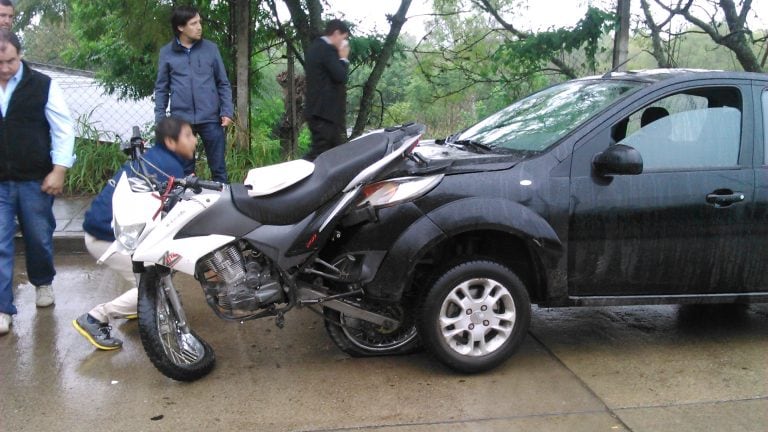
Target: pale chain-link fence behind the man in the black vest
98	115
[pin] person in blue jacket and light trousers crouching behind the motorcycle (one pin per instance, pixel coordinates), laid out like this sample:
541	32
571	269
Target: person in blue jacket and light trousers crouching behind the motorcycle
174	145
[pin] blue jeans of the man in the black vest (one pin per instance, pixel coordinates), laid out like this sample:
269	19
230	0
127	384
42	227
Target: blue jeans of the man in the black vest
34	209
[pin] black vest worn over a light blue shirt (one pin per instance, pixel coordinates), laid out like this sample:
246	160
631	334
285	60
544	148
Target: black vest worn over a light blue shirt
25	135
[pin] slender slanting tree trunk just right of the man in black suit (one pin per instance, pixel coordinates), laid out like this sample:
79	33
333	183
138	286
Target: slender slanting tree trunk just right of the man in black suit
366	100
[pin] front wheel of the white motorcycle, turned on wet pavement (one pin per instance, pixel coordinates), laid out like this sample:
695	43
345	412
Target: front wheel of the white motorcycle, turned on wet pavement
176	354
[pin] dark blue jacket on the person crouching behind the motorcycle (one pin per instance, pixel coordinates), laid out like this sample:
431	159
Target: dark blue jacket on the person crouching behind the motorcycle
98	218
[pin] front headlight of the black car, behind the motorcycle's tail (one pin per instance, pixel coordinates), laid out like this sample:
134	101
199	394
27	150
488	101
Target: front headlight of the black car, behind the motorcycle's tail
395	191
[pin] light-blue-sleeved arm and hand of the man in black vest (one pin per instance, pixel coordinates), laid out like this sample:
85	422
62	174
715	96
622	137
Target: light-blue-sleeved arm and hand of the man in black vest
62	140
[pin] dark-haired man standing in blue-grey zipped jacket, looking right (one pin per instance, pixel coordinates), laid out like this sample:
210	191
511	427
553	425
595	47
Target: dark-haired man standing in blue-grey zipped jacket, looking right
193	85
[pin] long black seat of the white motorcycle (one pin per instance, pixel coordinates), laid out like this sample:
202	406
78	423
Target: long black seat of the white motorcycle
333	170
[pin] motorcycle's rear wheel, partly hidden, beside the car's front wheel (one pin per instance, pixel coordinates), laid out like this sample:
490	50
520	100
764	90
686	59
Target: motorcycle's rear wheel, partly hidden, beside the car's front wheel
360	338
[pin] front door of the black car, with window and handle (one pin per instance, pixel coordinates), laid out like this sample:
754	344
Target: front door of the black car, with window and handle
677	228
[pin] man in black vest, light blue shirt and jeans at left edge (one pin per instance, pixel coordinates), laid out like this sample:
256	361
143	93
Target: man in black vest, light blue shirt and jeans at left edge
36	149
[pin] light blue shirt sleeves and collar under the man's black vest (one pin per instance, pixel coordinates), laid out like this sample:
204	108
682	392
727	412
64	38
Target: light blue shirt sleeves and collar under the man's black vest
58	116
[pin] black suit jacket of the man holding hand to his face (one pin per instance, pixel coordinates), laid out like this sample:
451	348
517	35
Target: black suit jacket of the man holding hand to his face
326	83
